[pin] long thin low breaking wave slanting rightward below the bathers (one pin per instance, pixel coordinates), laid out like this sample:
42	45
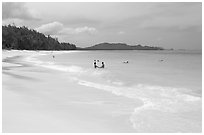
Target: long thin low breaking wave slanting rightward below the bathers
143	91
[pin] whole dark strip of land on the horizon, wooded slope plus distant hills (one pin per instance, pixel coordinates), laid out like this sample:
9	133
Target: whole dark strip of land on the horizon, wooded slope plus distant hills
23	38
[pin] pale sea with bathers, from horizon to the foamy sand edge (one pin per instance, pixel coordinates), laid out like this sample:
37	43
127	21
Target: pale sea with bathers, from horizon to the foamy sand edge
168	83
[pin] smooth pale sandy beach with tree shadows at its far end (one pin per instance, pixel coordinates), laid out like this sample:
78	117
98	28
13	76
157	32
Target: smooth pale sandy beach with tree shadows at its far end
36	99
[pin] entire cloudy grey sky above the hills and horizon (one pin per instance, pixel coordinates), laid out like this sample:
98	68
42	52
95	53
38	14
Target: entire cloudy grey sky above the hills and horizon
169	25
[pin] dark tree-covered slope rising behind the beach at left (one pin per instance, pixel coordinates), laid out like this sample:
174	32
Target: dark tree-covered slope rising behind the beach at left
22	38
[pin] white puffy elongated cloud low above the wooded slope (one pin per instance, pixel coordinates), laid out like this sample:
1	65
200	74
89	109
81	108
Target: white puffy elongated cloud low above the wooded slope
57	28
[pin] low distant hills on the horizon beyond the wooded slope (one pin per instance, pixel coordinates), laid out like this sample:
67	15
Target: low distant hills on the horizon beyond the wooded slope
119	46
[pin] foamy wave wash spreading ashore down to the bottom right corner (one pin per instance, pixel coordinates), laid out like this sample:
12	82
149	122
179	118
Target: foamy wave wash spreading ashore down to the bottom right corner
162	106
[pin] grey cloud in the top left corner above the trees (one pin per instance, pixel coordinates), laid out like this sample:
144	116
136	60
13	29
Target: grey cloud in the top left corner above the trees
18	11
